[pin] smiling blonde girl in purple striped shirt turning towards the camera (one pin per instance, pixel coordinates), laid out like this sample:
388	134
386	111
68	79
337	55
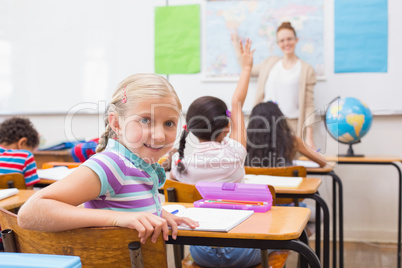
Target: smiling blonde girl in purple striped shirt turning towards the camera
119	185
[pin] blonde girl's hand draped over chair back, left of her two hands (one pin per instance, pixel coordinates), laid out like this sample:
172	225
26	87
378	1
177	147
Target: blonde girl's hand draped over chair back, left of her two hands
147	225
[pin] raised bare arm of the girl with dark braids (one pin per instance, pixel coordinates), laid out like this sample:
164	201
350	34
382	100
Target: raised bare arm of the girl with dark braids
238	127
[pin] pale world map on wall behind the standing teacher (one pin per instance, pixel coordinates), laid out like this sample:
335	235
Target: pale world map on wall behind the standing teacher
258	20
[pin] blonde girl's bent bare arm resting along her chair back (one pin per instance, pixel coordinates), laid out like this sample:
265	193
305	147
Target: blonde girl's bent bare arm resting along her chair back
54	208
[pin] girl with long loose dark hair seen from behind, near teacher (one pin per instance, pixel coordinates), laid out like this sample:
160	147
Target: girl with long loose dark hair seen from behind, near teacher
270	142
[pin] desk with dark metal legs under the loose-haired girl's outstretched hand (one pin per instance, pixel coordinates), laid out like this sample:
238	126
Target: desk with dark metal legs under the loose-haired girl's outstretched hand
336	183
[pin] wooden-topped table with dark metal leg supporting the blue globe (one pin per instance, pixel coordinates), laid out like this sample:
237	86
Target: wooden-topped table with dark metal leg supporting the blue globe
379	160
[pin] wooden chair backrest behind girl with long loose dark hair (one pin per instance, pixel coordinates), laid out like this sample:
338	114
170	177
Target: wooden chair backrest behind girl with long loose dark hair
291	171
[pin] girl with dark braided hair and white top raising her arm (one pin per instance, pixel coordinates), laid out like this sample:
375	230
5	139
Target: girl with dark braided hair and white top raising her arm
217	158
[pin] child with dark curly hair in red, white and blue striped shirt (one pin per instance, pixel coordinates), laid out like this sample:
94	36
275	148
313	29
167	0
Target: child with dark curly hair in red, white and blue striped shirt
18	139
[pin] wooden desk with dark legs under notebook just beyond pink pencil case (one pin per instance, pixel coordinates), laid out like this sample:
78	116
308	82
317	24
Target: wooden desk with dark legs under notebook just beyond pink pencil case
308	188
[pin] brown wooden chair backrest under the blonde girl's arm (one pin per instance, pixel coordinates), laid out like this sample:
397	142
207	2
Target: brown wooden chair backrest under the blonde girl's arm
97	247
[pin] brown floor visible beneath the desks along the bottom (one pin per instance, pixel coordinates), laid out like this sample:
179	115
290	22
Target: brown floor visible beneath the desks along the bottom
356	255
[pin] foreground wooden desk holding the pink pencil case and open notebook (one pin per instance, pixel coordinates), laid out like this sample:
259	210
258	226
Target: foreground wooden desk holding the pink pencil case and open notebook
278	228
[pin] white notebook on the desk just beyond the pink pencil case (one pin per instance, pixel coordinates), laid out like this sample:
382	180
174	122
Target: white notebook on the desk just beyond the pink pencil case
276	181
